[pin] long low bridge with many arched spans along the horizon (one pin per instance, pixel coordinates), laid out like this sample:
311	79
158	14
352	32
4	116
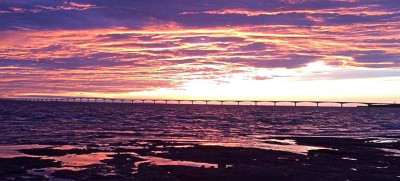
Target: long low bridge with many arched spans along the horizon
176	101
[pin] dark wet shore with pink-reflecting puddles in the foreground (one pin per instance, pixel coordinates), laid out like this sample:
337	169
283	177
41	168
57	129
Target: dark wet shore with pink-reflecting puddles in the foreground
335	159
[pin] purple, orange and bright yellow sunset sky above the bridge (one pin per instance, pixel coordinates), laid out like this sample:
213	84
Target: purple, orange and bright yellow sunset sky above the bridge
337	50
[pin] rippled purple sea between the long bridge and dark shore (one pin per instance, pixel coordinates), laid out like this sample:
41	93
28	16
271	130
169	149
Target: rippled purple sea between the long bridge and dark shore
32	122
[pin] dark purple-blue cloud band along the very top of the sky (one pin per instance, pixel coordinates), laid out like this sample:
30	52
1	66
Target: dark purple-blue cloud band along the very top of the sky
107	13
